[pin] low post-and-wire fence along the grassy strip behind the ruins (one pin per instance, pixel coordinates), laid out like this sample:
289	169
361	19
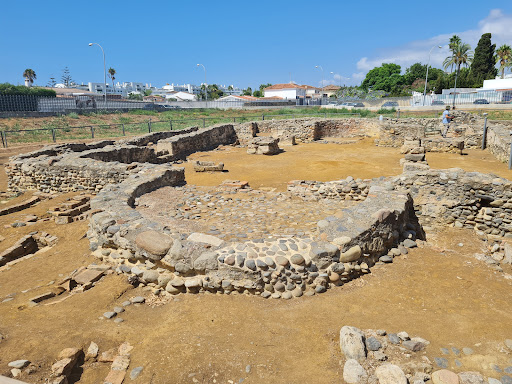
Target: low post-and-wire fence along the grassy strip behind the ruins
102	131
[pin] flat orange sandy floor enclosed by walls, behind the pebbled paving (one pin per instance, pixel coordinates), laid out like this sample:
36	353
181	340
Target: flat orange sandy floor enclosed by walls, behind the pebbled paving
326	162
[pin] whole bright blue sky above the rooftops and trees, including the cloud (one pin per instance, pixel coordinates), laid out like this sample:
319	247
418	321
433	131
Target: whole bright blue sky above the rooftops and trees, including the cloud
239	42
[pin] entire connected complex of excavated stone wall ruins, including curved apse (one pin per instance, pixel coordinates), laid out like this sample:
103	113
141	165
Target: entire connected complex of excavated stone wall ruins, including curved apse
381	218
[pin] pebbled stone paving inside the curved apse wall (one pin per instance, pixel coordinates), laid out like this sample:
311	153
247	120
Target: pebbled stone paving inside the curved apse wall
236	215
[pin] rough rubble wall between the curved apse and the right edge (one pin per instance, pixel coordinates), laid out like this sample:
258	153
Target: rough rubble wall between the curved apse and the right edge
465	199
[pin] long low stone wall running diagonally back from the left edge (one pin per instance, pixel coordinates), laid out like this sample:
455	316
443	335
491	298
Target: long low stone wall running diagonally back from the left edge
89	167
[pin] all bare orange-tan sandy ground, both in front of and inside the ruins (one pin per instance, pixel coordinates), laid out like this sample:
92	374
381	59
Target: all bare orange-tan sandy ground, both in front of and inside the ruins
438	292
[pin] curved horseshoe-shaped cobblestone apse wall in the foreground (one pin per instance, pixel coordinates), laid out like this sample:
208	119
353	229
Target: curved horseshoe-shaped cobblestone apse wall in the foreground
285	267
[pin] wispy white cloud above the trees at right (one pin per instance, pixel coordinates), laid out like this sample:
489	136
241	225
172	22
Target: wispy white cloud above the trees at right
497	23
